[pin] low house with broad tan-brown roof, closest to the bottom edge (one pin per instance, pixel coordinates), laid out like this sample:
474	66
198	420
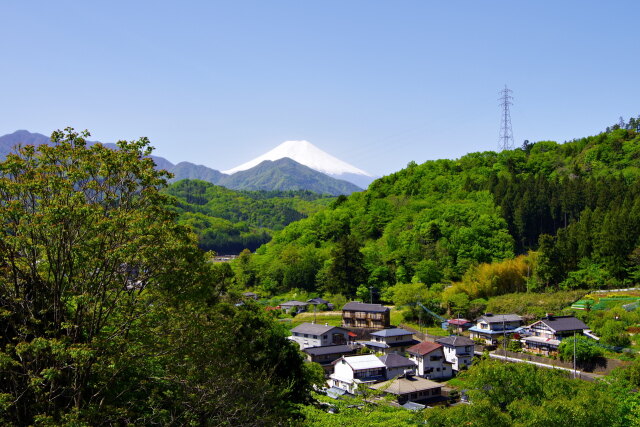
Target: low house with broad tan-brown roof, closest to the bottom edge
409	388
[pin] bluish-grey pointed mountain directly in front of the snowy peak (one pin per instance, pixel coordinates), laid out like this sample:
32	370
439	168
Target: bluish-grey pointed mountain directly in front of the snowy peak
286	174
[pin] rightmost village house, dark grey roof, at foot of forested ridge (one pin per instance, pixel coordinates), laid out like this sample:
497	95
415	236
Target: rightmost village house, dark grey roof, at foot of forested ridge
547	333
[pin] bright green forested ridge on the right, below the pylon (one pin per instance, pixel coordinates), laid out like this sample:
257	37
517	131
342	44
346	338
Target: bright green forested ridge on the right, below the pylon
575	203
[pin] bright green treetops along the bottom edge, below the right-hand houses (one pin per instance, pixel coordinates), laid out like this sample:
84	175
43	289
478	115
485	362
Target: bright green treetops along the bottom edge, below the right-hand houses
522	394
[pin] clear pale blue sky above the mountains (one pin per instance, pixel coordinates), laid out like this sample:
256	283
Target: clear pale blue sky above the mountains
375	83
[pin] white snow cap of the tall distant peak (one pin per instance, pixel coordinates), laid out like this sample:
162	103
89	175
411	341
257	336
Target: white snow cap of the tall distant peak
307	154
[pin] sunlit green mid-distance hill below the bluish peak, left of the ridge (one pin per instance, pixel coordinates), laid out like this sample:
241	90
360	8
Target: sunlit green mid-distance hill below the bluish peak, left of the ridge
228	221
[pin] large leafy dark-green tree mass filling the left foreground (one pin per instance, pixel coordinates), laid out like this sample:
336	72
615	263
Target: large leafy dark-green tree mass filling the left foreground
109	313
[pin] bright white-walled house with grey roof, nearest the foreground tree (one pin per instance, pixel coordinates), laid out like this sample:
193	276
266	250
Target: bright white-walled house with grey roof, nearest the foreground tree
349	372
